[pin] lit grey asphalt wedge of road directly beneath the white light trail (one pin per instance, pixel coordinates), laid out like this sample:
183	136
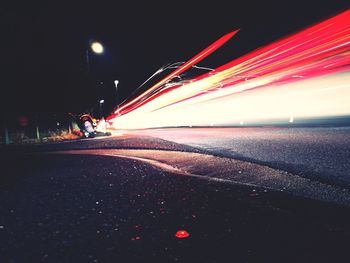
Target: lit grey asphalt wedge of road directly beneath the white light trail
320	153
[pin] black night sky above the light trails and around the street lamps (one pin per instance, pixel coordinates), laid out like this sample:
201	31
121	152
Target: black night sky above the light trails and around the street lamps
43	46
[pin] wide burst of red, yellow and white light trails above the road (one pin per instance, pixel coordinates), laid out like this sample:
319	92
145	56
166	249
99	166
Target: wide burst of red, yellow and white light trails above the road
306	75
